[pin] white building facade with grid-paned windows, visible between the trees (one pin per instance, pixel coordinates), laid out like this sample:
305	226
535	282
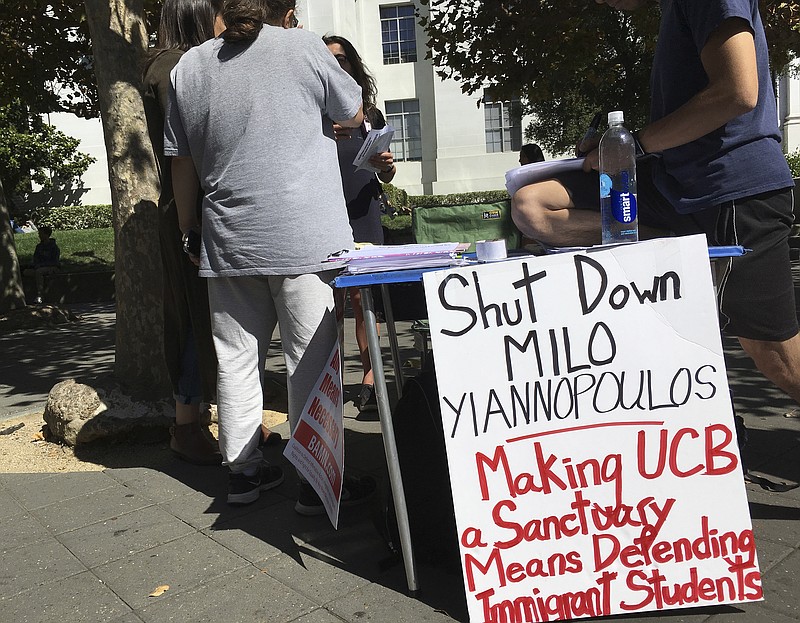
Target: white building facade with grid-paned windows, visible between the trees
445	141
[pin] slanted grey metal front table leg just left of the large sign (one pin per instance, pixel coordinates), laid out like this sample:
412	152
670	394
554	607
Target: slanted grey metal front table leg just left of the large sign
389	444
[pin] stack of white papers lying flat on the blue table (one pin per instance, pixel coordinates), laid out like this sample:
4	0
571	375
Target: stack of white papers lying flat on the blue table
376	258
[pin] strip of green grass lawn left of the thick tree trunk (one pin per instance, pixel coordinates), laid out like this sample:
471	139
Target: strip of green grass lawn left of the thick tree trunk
81	249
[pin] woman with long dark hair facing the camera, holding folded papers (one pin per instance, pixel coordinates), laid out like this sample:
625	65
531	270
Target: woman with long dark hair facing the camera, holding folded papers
362	190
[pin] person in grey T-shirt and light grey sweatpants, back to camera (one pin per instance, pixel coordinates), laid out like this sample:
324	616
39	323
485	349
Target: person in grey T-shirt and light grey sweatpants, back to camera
250	115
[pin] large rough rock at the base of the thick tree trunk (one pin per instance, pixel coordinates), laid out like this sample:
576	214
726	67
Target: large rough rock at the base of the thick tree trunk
77	414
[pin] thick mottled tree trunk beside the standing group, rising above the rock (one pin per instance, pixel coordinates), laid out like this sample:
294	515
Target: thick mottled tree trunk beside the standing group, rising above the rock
119	41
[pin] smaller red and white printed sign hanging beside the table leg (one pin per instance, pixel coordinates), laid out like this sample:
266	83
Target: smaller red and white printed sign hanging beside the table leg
316	448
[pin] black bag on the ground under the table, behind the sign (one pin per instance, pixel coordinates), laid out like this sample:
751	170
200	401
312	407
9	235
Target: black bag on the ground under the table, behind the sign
423	465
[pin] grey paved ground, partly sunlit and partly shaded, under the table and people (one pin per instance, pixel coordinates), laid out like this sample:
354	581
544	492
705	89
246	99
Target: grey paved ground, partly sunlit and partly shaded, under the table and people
94	546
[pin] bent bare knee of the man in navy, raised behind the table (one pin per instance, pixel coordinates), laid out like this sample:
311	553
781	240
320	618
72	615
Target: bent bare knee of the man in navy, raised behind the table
545	212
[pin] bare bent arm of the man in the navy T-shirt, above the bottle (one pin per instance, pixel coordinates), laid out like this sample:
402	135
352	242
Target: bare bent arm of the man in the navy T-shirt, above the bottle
729	59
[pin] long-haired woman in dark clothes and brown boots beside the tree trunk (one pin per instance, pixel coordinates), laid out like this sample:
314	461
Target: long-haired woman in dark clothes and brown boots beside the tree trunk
188	348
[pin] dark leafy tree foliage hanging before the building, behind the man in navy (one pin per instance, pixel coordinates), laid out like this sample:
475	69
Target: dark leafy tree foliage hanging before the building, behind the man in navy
566	59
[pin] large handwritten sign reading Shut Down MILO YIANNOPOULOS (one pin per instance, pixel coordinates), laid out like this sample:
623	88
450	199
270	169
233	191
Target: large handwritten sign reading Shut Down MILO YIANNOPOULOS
590	436
